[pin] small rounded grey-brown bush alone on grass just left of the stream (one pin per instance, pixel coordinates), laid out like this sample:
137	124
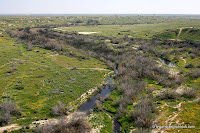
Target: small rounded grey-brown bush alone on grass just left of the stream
59	110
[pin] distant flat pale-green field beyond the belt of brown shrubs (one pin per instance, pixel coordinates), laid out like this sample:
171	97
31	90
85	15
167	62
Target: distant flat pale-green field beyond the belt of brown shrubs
146	31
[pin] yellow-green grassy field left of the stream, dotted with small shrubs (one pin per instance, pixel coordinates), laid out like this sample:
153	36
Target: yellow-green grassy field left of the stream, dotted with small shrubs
36	80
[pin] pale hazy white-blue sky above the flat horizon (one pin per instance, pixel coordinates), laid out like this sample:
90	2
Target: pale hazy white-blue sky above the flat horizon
99	6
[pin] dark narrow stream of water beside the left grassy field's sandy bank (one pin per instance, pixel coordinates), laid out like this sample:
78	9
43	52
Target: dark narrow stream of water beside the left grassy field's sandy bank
90	104
